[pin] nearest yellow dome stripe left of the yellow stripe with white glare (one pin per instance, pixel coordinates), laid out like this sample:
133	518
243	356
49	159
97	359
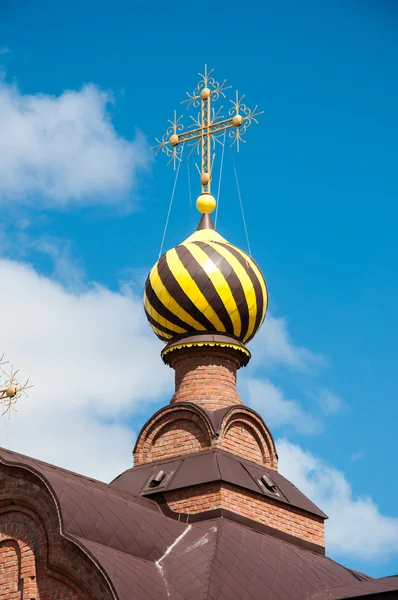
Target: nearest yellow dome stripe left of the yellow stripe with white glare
192	290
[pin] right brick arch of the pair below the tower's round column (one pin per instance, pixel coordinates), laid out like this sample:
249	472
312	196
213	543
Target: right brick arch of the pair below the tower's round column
244	434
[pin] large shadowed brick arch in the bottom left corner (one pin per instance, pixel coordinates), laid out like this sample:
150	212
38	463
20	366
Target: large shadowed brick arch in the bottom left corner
52	565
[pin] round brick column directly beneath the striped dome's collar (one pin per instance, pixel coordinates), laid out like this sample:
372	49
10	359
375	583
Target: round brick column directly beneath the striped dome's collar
206	376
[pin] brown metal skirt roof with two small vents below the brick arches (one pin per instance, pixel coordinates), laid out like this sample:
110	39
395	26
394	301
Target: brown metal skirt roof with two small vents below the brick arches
210	466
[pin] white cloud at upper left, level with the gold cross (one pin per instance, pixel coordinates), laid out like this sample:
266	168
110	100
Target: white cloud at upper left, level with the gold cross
64	149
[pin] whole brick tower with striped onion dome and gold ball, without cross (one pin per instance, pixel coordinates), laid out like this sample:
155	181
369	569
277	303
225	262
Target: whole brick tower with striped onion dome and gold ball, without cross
206	453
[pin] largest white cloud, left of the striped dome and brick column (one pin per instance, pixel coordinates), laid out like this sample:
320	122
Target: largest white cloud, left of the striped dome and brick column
93	361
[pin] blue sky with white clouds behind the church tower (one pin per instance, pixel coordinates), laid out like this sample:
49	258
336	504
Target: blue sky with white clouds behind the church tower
83	205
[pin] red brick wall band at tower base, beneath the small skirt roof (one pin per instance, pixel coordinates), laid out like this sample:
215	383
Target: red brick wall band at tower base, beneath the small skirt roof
248	504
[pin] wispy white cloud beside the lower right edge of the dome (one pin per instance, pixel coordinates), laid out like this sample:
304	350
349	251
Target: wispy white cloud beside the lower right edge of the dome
274	346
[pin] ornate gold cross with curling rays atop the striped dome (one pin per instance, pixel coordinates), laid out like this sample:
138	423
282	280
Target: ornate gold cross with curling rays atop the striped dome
208	126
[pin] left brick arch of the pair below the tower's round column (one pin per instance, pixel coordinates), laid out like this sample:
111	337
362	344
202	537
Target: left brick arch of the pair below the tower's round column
174	431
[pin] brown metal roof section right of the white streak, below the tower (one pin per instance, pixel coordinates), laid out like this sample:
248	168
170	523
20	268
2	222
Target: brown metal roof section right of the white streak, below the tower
221	560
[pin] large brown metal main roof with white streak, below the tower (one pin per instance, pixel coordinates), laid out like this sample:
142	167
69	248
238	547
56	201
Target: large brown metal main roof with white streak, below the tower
147	555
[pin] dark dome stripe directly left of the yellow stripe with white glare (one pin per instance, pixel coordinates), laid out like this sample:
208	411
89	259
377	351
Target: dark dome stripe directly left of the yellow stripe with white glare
206	286
